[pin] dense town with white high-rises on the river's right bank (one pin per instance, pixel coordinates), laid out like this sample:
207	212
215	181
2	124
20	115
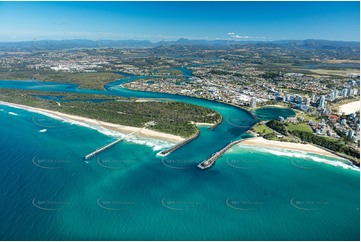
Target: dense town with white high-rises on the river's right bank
325	116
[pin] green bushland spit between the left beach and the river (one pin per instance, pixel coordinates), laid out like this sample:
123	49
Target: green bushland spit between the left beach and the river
169	117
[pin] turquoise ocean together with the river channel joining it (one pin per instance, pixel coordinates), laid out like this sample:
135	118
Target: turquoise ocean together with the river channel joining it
48	192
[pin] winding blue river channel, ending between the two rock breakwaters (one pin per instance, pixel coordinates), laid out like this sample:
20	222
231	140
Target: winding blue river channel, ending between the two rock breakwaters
236	121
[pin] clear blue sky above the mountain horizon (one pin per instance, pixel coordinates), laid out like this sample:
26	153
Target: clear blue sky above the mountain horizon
156	21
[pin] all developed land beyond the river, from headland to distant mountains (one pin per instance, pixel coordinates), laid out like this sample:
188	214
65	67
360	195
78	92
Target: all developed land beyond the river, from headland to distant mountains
324	95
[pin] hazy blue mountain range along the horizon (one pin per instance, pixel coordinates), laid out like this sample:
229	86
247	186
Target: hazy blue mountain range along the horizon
84	43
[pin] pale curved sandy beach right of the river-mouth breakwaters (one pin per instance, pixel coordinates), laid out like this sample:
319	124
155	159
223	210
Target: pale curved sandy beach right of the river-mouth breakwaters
264	143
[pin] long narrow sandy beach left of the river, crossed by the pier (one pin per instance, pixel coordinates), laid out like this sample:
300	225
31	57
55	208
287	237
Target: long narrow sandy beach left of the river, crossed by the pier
115	127
